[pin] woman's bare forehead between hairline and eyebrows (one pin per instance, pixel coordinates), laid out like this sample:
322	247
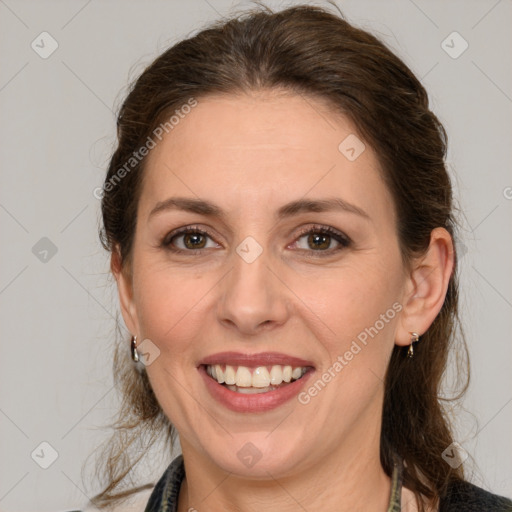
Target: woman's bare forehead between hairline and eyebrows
264	148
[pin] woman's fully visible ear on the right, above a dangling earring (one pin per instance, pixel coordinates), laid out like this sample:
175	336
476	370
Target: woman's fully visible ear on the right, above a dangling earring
426	287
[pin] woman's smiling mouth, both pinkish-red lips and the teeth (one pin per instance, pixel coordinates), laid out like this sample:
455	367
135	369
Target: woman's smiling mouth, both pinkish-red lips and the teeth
254	383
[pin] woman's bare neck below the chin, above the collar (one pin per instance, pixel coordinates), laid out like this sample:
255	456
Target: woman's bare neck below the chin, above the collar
350	478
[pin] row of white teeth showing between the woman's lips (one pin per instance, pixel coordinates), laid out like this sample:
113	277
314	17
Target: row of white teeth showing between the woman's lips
261	377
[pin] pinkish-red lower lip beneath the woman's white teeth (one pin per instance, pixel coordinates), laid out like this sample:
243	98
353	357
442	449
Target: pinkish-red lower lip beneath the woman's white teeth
258	402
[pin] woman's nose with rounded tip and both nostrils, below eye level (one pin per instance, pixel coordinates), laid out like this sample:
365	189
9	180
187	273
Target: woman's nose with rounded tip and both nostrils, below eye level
252	297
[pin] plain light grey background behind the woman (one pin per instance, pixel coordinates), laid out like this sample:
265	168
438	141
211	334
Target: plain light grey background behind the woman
58	310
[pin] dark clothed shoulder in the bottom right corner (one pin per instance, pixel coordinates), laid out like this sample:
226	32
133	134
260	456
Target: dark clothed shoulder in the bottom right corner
466	497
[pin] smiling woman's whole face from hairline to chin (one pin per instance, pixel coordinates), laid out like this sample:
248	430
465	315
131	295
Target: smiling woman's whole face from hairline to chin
259	283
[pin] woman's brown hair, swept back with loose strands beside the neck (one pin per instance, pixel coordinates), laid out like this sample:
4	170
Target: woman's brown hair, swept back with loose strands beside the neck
309	51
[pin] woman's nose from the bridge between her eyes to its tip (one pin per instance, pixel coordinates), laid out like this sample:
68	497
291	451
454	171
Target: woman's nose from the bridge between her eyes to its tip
250	295
